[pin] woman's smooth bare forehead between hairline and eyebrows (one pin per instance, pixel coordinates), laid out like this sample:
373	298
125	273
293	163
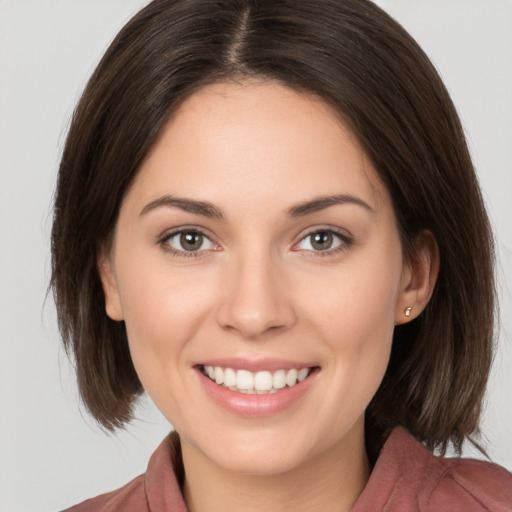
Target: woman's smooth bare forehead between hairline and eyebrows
259	139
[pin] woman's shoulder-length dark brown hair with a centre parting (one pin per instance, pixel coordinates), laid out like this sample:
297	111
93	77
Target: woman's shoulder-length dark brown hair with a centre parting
365	65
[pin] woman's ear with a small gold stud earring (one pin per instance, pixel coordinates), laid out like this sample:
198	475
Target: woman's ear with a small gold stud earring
419	277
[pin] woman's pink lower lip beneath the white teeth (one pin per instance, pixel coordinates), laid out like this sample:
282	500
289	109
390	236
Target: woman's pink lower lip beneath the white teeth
256	406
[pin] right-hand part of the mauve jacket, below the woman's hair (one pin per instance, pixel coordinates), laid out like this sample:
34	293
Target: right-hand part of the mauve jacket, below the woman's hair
409	478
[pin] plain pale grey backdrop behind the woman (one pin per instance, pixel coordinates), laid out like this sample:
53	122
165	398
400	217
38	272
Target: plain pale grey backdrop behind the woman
51	453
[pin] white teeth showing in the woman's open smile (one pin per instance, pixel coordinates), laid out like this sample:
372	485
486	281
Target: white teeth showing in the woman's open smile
261	383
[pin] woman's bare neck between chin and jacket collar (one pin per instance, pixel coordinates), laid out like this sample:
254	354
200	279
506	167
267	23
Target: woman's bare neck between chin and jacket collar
328	481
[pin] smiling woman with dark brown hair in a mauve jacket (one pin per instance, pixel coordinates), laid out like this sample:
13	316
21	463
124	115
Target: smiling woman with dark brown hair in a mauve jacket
265	218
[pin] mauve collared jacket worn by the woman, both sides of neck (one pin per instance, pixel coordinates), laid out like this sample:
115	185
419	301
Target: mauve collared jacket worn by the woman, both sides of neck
406	478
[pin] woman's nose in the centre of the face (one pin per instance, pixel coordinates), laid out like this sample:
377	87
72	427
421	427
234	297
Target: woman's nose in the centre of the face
255	299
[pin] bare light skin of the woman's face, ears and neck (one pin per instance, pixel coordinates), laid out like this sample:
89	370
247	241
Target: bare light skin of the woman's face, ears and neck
257	289
